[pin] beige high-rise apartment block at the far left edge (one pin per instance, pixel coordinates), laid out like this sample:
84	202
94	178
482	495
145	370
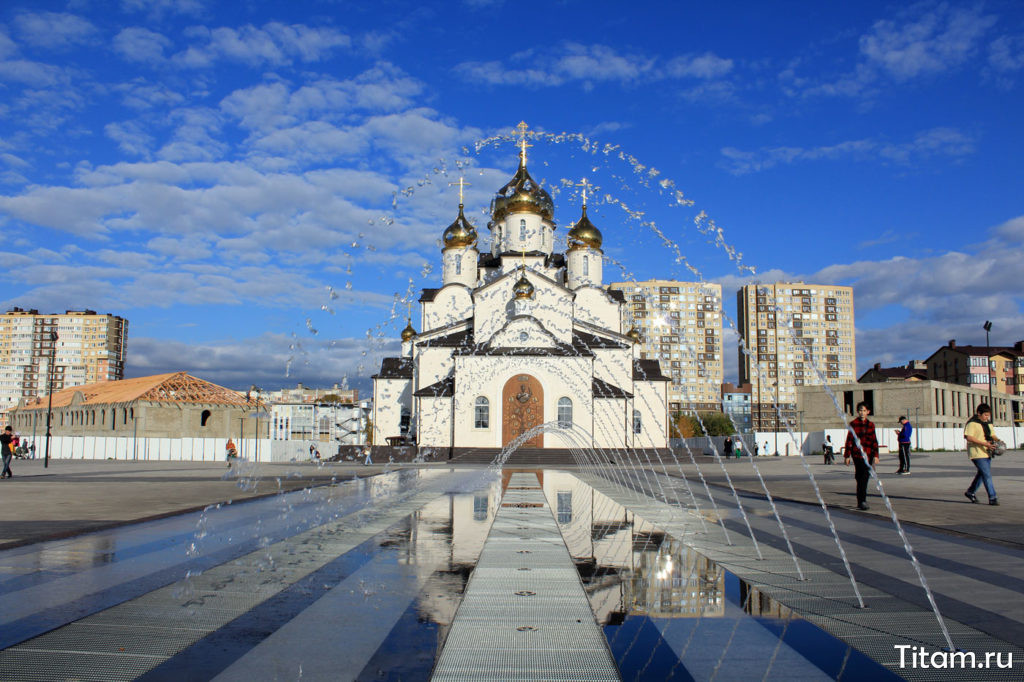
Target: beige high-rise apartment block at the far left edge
91	348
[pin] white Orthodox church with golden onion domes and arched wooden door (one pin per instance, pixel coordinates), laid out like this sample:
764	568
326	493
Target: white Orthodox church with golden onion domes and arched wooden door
521	337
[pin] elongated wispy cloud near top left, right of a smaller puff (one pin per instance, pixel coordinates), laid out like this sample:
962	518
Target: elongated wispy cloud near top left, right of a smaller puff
276	44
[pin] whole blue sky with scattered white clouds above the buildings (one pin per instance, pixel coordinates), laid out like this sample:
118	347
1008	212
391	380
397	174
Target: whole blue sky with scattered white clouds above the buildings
260	190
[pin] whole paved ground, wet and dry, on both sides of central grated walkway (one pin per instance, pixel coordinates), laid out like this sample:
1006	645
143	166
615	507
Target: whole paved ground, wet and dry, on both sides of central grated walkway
347	572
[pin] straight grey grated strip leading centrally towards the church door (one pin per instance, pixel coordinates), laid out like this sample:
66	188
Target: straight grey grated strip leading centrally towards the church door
526	616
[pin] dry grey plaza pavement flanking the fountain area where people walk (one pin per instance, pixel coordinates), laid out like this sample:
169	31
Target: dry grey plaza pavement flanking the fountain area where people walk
79	496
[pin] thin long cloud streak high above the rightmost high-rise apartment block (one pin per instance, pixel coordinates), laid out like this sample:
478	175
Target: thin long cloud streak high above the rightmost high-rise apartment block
928	145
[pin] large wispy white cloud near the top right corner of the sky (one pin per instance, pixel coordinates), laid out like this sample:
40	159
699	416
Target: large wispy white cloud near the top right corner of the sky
940	39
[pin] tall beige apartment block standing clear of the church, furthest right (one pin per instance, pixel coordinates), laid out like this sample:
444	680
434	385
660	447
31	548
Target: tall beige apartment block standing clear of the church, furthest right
797	335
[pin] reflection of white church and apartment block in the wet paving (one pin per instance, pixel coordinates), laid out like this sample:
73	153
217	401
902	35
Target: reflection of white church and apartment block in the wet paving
629	568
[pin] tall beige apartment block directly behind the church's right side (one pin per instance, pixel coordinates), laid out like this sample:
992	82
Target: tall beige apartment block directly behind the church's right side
680	324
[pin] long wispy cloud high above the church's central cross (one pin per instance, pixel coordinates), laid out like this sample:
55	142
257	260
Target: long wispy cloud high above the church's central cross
591	64
